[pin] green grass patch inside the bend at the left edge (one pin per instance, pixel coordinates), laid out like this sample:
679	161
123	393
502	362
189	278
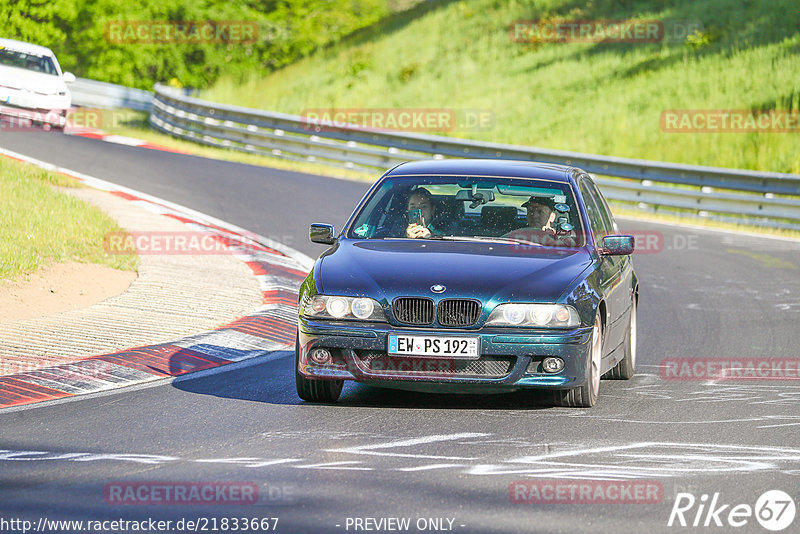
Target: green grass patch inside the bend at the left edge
40	225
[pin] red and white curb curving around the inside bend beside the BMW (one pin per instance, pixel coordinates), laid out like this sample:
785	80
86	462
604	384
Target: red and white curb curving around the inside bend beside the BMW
279	269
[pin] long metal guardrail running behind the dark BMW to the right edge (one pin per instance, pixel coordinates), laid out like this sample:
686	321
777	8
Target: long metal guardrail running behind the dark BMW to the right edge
748	197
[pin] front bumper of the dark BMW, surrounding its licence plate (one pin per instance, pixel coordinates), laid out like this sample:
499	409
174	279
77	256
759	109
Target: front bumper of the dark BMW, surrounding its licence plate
510	358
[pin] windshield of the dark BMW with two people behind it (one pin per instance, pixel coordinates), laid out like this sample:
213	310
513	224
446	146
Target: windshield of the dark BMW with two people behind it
471	208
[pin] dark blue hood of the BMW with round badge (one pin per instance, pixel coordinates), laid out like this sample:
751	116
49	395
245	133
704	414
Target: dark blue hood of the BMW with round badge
486	271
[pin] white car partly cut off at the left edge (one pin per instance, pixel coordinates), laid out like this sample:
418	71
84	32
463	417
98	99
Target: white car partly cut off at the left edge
32	87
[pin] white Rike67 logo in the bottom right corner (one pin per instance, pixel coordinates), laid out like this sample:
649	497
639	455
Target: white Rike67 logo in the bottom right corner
774	510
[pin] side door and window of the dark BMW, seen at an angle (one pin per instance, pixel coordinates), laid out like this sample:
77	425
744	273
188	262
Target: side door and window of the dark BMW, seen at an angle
611	267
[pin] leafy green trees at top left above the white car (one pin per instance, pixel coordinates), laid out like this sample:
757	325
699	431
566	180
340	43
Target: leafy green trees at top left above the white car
76	30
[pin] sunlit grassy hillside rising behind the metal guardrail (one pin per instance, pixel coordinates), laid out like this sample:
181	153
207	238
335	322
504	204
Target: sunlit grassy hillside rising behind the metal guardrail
597	97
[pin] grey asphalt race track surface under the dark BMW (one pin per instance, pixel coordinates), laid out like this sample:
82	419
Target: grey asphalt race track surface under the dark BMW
383	453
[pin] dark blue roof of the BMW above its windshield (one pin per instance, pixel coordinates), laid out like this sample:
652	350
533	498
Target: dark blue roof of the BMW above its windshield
486	167
